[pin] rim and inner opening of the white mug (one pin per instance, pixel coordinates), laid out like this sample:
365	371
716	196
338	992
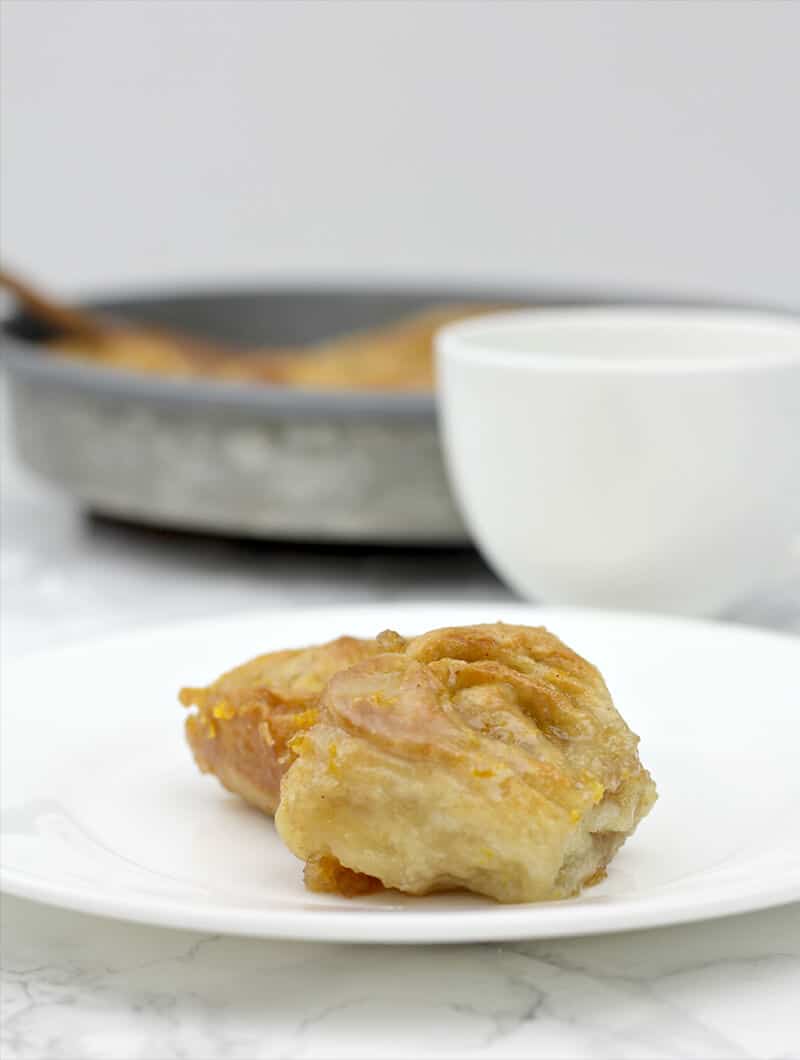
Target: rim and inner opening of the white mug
479	341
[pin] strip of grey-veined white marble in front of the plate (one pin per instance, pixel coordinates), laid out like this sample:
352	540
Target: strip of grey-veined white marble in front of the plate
78	986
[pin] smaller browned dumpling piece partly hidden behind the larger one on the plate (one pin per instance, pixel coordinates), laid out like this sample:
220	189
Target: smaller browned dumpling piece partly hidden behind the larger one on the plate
245	721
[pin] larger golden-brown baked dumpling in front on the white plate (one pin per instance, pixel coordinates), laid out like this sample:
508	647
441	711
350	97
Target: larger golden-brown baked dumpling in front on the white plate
486	757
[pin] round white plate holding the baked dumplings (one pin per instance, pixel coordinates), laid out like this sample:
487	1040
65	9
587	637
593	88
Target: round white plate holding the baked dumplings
103	810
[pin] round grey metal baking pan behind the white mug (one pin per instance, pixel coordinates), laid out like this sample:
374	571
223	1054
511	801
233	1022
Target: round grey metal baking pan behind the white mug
257	461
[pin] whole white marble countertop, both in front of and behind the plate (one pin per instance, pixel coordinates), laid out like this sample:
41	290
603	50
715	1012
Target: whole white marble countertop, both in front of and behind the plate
81	987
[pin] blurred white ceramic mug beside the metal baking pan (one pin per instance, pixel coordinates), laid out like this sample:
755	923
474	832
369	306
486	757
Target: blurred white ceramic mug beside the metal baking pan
645	458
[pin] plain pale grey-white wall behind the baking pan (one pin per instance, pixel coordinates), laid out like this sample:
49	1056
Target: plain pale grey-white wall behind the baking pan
651	146
